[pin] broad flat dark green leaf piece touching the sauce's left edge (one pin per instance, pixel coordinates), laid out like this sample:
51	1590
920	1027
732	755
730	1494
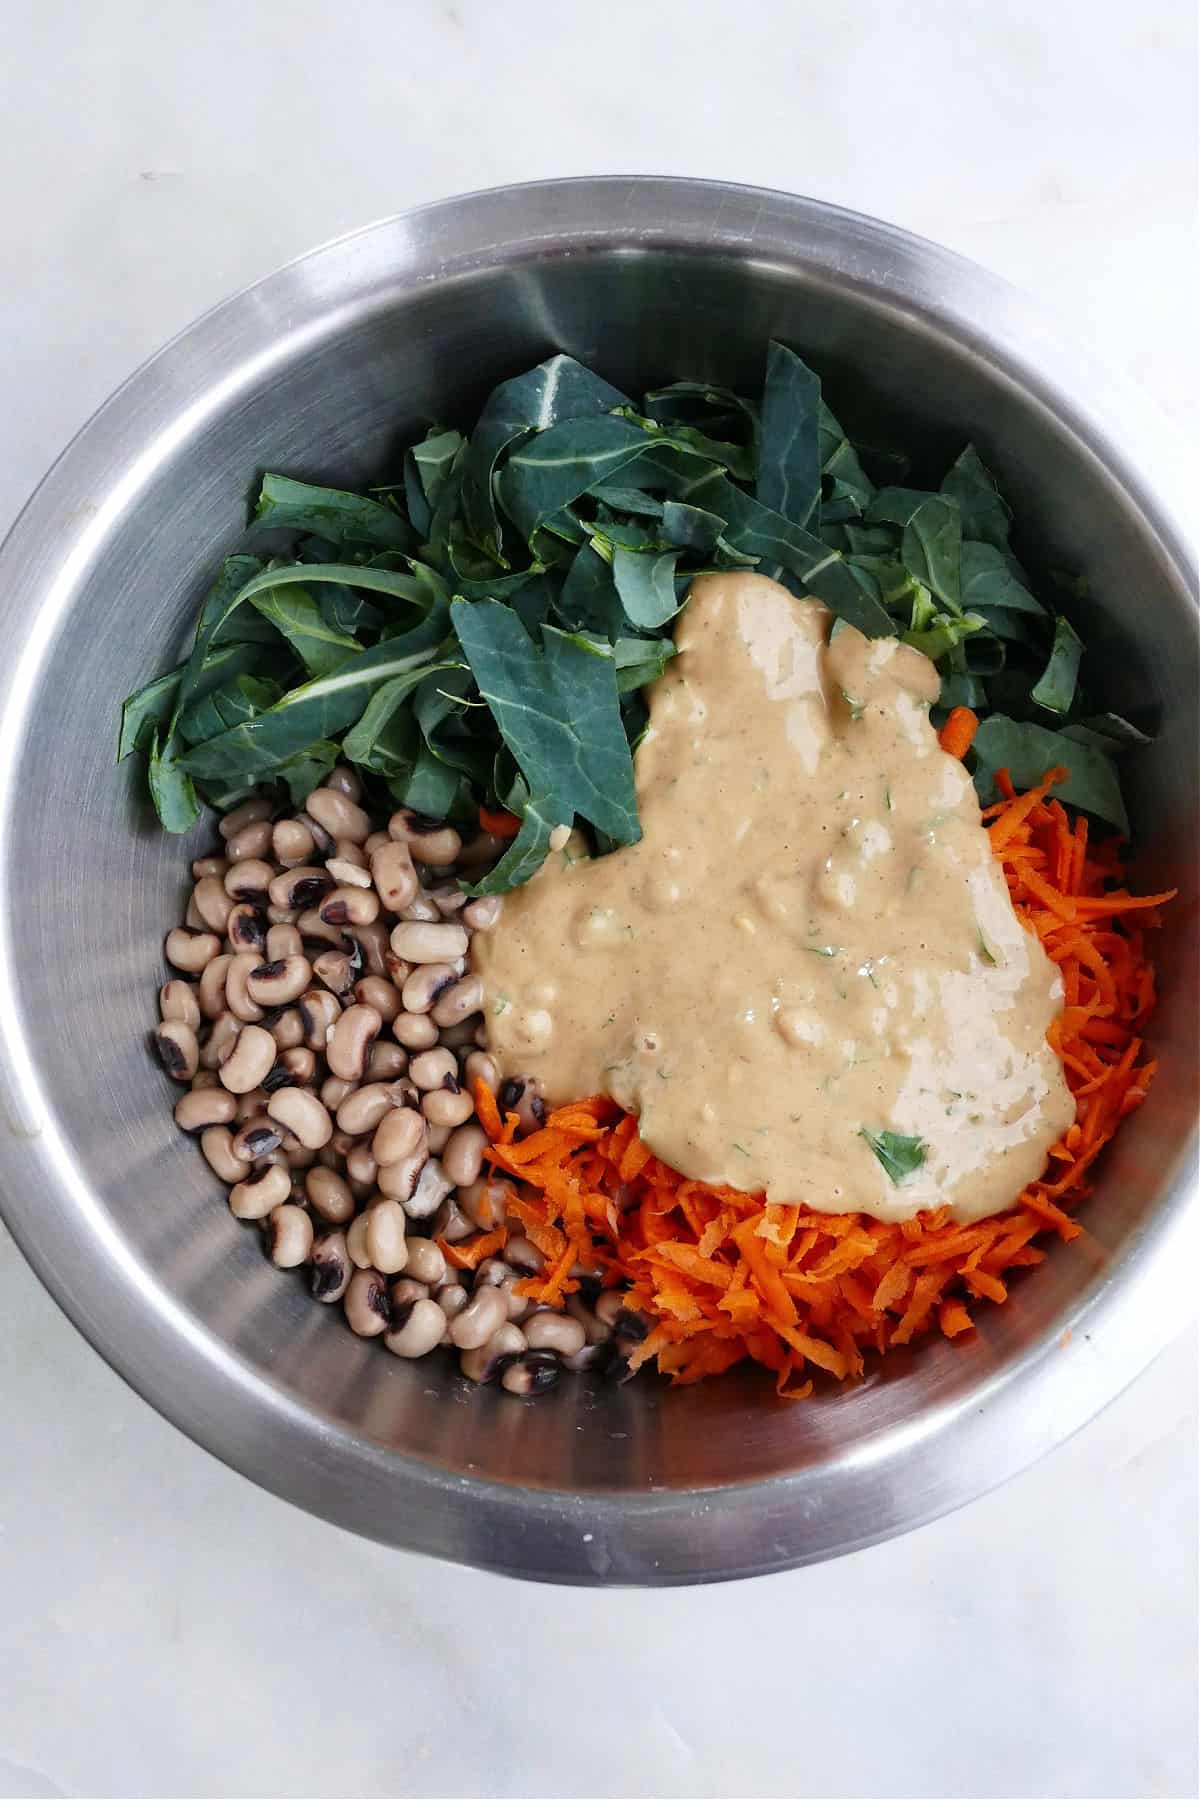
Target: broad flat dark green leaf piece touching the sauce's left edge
557	712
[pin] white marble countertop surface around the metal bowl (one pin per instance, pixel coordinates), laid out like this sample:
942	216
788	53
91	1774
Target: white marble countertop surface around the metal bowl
170	1630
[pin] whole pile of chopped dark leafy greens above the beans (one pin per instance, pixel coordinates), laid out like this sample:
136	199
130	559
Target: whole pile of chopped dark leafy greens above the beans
483	627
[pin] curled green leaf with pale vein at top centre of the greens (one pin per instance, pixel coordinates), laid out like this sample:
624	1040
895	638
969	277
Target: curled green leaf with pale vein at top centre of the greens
532	402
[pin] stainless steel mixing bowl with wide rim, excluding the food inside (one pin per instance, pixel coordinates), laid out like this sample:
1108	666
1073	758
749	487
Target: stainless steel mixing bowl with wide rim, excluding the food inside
323	370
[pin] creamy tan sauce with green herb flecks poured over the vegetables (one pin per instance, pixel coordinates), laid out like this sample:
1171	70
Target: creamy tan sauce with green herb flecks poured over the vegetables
812	939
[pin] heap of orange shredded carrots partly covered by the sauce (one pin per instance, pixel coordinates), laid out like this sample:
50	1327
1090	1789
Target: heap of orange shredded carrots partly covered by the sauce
724	1277
